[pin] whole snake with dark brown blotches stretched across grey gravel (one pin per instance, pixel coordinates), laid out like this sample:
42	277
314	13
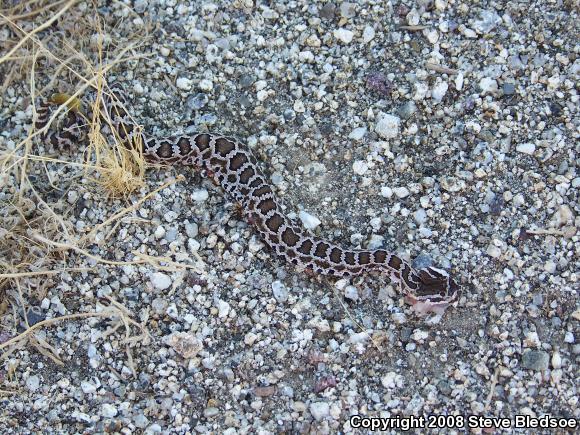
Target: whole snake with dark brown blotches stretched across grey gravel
232	165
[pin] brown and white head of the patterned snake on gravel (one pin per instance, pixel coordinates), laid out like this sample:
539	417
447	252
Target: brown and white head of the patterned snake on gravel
434	291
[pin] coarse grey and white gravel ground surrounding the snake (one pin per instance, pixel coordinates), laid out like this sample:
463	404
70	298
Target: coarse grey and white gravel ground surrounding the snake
444	130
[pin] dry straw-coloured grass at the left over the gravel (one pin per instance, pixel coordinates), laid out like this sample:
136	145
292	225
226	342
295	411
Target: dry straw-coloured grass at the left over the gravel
57	45
